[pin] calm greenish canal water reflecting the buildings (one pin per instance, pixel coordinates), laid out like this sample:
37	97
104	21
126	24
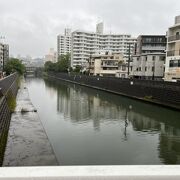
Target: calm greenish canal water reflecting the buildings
91	127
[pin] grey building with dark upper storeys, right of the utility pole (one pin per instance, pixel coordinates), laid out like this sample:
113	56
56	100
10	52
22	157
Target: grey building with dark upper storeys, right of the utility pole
149	57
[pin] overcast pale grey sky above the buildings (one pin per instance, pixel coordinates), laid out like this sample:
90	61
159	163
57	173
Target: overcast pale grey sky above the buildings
31	26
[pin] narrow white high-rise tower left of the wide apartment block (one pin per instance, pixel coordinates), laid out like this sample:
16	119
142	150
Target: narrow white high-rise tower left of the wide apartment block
64	43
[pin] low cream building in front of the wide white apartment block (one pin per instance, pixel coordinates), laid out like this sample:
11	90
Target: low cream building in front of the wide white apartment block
106	63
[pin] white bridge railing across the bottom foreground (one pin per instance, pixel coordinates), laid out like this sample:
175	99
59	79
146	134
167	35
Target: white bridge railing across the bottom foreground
91	173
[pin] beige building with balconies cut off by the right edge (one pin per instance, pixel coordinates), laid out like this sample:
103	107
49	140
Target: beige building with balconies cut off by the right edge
172	65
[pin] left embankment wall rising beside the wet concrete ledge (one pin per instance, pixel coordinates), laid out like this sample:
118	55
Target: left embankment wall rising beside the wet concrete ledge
8	91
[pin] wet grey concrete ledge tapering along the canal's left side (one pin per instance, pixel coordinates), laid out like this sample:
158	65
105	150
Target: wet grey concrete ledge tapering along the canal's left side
28	144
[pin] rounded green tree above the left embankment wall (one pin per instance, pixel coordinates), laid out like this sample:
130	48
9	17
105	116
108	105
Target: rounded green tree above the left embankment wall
14	65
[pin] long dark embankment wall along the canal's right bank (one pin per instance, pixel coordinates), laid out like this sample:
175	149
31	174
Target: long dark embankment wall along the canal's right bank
157	92
